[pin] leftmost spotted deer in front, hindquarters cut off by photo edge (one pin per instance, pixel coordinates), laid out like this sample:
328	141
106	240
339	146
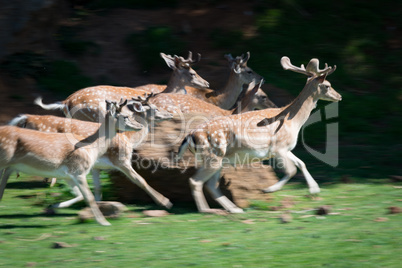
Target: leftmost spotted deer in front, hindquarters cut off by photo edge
62	155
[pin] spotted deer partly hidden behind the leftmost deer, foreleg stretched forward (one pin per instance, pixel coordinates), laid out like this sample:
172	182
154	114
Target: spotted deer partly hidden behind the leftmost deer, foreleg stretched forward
118	155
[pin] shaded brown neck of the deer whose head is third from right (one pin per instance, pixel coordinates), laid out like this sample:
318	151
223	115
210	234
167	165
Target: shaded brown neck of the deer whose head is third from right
227	96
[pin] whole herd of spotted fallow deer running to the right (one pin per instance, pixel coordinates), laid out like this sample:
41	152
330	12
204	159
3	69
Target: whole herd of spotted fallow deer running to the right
104	124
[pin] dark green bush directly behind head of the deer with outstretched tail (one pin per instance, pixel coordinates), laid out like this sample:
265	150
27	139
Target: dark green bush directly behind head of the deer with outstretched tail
147	45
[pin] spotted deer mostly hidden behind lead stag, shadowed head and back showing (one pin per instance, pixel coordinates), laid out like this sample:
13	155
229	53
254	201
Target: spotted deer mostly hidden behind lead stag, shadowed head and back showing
178	104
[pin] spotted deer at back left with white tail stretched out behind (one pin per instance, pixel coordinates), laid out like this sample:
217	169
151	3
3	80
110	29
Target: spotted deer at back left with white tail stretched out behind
89	103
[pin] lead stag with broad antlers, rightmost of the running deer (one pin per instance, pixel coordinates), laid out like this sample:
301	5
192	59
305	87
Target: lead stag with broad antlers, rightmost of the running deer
256	136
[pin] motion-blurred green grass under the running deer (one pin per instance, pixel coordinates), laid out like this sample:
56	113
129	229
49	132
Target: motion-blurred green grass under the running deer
360	233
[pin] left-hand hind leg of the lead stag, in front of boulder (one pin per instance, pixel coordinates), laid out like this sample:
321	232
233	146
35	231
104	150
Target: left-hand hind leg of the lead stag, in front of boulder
196	184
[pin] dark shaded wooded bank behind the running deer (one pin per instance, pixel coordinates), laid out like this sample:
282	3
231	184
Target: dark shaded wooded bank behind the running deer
53	48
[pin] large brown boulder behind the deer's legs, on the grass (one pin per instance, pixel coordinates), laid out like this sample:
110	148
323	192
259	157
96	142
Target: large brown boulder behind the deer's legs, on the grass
155	161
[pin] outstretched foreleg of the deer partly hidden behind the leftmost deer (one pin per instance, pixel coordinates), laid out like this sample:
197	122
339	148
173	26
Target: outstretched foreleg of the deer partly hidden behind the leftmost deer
140	182
